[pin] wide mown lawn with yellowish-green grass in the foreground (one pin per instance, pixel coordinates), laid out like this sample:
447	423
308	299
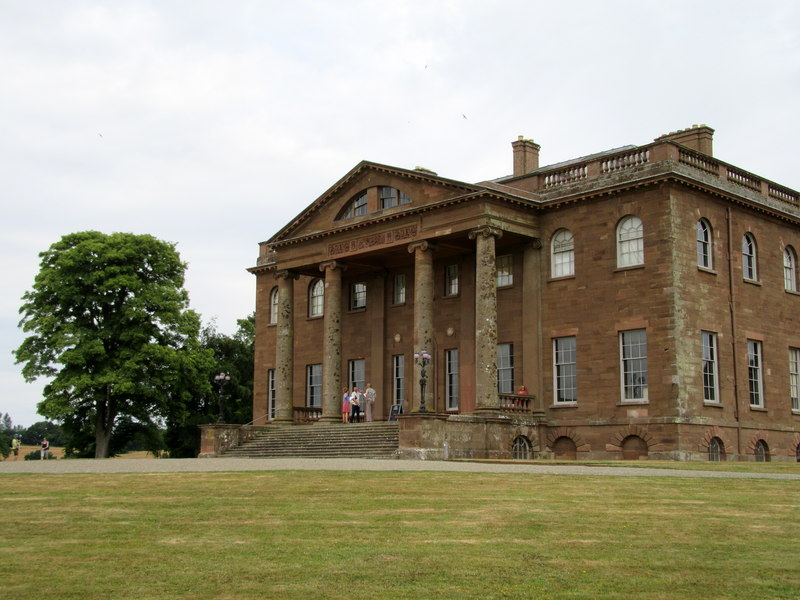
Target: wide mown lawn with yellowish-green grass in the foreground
396	535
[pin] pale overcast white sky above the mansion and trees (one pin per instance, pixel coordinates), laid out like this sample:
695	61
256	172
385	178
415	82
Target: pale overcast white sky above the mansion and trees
211	124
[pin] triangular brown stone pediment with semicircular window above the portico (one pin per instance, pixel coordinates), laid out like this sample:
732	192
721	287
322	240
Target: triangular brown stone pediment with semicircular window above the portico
369	191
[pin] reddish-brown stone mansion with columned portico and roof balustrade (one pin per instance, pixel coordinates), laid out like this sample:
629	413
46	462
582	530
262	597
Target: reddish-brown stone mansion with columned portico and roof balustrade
647	297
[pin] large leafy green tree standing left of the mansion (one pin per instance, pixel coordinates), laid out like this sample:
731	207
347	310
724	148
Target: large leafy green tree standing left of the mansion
110	326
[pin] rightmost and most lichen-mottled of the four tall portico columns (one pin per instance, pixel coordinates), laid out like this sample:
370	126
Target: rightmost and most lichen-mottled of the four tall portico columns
486	398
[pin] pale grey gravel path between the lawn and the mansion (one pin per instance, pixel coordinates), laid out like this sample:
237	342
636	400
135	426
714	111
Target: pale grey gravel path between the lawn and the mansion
204	465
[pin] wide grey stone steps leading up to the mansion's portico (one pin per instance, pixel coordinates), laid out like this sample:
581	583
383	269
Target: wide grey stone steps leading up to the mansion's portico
323	440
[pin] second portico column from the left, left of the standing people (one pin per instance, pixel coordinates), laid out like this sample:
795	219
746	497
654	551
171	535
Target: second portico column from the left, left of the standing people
332	344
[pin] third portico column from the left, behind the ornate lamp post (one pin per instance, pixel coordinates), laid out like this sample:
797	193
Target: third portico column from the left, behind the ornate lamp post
423	322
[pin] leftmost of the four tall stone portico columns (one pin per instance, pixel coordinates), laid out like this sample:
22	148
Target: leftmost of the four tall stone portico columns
284	348
